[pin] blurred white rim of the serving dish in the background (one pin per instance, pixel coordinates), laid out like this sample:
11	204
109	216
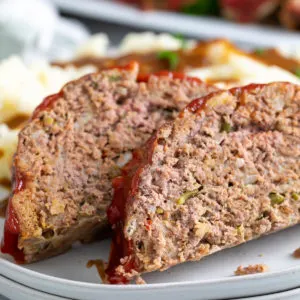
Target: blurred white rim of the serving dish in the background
200	27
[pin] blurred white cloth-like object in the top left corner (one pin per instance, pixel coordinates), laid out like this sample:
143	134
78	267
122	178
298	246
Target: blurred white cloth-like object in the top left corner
48	36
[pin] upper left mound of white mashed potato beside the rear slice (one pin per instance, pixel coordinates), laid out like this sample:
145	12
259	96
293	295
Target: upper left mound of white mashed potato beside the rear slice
22	88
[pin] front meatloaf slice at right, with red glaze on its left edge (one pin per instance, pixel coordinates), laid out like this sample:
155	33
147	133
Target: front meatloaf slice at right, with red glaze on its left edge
224	172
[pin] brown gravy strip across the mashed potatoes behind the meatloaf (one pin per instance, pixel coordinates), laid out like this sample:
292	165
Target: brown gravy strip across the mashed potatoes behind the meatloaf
187	59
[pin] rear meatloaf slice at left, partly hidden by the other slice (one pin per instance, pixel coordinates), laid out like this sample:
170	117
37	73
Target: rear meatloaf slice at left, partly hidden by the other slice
74	145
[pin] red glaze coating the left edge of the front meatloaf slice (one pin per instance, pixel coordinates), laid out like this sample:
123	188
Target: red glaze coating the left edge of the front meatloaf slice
125	188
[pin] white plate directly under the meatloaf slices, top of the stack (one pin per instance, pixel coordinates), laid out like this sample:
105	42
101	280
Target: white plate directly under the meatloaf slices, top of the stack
211	278
